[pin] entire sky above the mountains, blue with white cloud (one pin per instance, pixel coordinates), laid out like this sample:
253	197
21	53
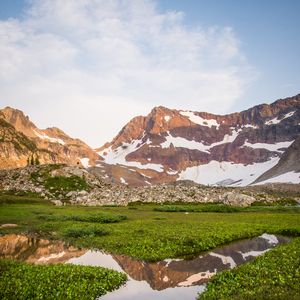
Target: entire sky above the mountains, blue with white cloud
89	66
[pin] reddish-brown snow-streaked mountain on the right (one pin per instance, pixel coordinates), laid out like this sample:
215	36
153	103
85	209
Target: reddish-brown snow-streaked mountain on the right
235	149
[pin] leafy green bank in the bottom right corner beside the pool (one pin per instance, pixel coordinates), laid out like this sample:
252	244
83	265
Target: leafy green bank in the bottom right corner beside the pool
275	275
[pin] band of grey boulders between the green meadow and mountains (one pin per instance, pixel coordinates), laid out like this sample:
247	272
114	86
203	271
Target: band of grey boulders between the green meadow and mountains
64	184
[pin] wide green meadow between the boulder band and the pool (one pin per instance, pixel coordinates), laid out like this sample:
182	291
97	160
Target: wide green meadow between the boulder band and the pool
145	232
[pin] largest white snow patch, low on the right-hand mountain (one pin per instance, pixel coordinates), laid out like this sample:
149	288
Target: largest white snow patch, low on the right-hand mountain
215	172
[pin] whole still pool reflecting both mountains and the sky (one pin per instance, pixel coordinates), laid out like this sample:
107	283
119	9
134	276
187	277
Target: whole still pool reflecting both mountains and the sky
167	279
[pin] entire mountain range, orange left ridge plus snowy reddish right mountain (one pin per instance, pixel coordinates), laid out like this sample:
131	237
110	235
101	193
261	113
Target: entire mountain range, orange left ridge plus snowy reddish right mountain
256	146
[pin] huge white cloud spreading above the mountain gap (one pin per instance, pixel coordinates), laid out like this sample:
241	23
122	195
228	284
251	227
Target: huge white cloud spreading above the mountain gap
88	66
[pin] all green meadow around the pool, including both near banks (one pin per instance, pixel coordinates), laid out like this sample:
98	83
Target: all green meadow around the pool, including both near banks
151	232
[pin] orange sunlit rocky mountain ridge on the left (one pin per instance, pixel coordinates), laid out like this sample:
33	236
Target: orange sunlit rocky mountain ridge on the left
21	142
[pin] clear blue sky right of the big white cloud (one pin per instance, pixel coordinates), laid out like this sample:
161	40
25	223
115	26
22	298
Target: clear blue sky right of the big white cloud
269	33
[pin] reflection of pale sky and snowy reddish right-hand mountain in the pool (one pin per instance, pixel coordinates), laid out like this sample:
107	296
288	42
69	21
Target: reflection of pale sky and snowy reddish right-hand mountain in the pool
177	279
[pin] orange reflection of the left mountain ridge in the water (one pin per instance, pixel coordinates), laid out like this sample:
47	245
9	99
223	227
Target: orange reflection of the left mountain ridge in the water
24	248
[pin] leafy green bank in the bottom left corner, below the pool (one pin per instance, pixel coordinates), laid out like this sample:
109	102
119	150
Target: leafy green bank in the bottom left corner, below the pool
26	281
